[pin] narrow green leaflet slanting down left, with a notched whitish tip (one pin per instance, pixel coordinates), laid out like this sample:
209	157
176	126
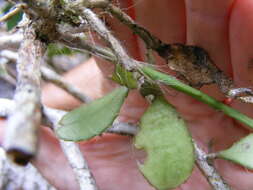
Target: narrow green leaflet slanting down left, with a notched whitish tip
90	120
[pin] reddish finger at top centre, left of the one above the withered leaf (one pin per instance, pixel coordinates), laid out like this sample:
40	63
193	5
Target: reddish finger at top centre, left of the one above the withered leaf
165	19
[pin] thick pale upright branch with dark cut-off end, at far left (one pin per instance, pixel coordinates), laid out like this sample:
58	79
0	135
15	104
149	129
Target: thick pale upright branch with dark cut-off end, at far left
20	139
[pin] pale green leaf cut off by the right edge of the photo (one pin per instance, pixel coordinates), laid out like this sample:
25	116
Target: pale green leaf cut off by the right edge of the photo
241	152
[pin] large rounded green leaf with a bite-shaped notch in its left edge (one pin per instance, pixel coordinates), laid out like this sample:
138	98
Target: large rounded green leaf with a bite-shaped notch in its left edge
165	138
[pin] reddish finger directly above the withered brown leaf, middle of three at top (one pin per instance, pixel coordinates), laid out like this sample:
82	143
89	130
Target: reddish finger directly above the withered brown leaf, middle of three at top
207	26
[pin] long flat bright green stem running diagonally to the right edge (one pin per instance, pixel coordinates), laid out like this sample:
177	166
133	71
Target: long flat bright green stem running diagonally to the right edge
176	84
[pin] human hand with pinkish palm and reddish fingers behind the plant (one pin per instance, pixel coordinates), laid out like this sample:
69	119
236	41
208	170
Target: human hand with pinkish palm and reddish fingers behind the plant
223	28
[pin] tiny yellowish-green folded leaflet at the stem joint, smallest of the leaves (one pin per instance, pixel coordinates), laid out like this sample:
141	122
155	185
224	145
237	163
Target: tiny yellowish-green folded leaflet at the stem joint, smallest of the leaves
124	77
